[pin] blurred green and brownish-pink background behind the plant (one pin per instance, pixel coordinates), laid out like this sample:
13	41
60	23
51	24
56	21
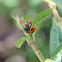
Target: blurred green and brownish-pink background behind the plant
9	33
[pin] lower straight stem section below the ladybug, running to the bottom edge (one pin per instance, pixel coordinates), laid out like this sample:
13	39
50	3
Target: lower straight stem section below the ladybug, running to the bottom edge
37	52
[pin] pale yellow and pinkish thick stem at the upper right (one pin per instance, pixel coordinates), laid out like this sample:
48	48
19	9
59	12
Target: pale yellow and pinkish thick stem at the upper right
52	5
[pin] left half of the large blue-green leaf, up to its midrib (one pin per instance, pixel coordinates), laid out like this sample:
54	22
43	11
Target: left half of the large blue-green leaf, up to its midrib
54	41
